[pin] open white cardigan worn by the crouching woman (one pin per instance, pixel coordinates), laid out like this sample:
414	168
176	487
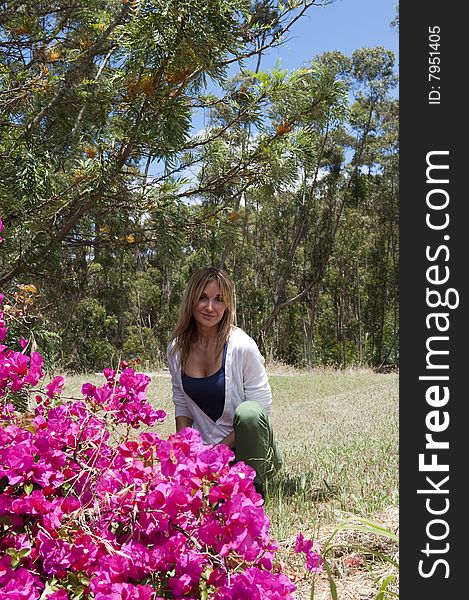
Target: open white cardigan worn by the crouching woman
245	379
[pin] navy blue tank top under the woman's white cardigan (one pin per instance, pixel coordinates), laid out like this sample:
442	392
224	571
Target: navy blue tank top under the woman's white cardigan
208	392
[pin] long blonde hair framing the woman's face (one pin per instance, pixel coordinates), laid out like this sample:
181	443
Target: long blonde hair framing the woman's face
185	331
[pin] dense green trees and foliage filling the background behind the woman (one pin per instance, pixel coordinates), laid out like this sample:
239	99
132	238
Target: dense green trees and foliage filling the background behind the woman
110	197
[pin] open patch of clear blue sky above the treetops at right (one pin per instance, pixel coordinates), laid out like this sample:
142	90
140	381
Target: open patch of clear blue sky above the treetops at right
344	25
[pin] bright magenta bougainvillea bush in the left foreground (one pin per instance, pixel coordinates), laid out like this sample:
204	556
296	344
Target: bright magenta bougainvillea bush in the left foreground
92	508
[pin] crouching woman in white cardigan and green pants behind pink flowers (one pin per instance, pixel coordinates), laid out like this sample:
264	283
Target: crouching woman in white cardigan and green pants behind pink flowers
220	385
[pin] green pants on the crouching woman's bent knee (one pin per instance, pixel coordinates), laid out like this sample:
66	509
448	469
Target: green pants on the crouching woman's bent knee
255	444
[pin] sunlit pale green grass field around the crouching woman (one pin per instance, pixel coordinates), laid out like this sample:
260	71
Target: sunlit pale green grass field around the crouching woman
339	435
